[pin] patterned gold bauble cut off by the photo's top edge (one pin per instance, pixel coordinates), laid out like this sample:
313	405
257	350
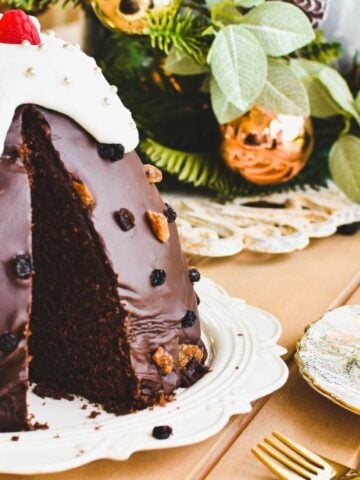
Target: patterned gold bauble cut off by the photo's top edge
127	16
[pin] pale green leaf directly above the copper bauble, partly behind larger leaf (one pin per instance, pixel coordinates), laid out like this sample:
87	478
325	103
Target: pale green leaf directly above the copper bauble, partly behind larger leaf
283	92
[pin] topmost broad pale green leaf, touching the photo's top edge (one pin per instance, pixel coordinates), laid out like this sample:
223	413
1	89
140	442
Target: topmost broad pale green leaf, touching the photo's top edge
279	27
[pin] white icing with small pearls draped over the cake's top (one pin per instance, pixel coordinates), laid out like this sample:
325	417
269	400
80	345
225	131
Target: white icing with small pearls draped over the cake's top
59	76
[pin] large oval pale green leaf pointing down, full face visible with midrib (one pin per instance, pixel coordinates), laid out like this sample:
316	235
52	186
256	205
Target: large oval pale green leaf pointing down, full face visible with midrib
239	65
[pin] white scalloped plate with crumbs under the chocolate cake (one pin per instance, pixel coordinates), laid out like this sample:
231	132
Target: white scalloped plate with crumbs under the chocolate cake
245	365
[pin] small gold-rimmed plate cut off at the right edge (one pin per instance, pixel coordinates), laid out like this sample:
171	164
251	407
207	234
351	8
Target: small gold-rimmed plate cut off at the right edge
328	356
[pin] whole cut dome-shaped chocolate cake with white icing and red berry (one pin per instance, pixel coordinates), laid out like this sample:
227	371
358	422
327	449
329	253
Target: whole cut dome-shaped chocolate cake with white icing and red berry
96	298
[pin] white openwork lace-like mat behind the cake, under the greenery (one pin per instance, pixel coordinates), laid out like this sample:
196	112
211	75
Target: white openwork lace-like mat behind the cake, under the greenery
211	228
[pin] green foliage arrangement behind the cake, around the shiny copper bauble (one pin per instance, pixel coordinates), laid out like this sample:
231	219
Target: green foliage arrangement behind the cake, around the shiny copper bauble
197	64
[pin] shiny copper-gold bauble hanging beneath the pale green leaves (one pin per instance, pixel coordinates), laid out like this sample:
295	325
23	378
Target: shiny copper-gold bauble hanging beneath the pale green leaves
267	148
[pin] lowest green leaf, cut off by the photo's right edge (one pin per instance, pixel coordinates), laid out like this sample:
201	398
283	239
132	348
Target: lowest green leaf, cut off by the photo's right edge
345	166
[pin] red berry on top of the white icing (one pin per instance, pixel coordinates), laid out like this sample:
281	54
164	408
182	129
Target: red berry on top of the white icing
16	26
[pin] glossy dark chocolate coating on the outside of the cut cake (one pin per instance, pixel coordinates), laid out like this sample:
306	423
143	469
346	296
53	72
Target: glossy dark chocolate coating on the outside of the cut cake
155	312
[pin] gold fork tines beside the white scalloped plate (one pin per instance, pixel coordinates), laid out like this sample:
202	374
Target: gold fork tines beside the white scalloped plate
290	461
